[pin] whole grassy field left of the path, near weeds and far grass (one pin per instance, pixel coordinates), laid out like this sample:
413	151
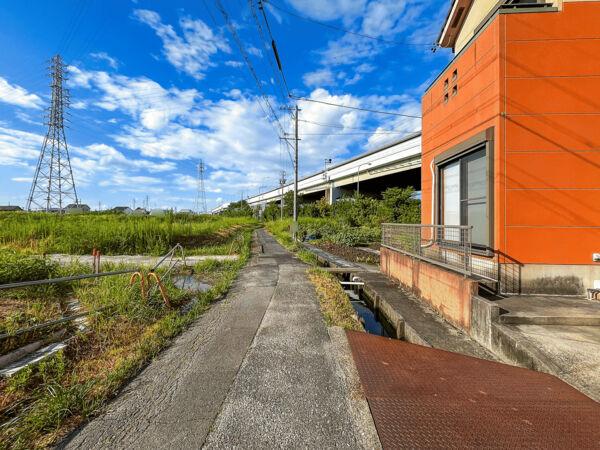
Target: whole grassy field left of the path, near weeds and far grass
44	402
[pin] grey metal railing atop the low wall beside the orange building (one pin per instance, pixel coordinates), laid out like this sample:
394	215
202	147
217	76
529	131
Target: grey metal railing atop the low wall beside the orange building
449	246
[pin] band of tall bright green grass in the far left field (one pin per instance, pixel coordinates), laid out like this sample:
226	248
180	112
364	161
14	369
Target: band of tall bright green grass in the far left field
115	233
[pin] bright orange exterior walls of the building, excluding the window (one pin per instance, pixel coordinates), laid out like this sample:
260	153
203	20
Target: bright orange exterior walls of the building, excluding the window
532	79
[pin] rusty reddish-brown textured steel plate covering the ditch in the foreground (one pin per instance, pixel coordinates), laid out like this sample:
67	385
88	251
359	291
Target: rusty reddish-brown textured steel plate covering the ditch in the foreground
427	398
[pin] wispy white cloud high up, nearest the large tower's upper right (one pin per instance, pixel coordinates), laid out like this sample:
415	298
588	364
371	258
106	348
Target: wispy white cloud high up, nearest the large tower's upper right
192	52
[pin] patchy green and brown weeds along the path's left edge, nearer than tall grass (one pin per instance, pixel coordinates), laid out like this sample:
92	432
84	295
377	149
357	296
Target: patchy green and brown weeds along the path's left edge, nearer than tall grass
44	402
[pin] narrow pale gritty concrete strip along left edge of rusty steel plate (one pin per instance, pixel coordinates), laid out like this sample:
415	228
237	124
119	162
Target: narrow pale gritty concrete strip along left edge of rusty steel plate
358	405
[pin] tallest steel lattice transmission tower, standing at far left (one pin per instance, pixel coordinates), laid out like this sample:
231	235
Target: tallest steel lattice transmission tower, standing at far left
53	186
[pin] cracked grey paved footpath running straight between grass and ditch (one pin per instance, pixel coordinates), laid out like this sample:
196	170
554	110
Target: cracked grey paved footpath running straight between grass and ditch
258	370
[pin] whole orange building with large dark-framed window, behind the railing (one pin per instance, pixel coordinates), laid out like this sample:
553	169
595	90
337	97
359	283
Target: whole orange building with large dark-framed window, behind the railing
511	139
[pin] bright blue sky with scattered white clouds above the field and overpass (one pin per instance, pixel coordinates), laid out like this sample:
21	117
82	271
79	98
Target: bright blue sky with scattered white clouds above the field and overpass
156	86
